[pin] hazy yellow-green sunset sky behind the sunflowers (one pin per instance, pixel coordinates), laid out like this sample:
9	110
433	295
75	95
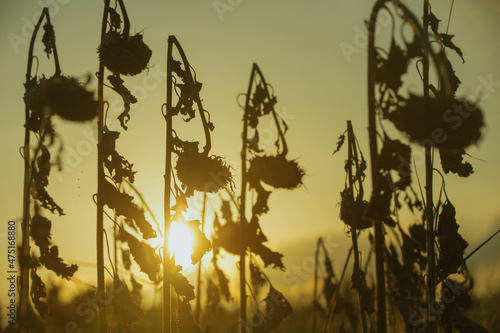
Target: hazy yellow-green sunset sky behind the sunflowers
313	53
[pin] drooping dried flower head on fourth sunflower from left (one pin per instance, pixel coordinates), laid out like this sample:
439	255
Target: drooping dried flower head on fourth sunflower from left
276	171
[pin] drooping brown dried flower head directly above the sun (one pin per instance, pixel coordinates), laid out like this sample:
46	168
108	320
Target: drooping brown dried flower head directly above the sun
203	173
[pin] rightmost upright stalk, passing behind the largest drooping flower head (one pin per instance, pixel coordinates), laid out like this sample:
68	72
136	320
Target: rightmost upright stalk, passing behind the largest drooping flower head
431	279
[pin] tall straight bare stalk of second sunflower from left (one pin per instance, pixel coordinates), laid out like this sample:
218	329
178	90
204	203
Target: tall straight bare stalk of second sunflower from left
101	155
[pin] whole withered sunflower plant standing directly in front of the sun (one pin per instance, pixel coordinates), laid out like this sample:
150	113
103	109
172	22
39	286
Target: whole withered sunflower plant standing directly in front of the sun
195	171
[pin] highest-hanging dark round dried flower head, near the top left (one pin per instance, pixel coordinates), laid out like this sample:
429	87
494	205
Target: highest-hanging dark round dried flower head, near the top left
127	55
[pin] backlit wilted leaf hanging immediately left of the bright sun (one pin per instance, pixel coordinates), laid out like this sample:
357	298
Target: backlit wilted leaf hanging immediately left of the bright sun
144	255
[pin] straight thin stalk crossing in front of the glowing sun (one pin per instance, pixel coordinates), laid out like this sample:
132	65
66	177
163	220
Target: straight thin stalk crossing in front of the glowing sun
166	206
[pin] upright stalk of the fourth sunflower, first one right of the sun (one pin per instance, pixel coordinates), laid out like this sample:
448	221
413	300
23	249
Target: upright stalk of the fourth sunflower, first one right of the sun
243	222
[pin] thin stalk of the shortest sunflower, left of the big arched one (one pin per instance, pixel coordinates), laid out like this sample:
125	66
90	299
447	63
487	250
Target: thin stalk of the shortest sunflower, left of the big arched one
353	156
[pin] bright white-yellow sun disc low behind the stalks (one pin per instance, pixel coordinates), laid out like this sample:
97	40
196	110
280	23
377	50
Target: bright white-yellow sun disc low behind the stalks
180	244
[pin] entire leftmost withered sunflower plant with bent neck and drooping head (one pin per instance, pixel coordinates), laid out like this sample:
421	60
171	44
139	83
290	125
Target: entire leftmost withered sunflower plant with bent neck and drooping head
45	98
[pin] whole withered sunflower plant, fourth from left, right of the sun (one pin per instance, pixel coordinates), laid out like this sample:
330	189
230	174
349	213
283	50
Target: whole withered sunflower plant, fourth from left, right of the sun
260	170
